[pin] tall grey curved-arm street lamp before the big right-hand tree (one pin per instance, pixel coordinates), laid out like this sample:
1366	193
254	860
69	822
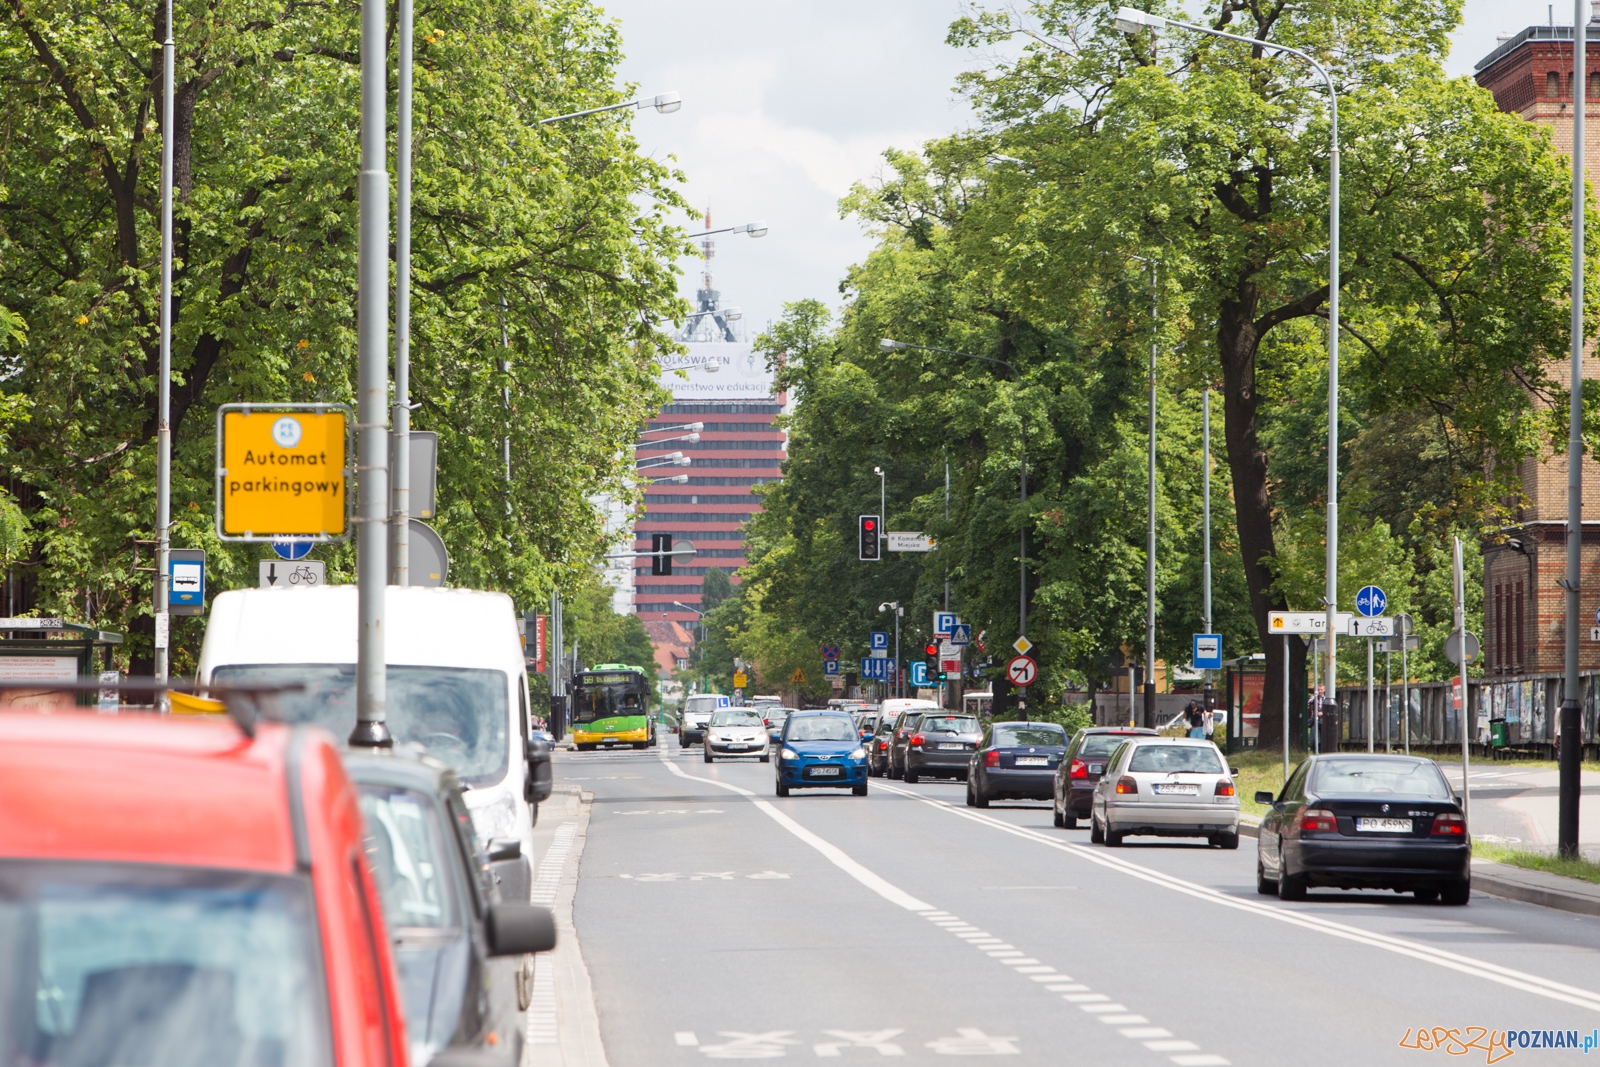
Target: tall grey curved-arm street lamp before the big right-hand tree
1134	22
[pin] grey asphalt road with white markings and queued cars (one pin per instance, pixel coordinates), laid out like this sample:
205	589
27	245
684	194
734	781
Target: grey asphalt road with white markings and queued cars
721	922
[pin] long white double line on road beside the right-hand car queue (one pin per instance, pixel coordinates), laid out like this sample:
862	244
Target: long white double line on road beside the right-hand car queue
1399	946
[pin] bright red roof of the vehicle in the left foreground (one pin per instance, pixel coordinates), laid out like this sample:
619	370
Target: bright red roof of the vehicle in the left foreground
143	788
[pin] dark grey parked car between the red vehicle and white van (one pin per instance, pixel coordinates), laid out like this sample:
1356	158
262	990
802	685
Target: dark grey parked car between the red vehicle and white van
438	889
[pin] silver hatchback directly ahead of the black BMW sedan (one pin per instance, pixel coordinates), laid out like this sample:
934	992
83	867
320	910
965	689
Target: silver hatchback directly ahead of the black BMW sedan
1166	788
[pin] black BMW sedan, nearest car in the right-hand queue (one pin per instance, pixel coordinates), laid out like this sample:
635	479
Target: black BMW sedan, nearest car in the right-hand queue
1366	823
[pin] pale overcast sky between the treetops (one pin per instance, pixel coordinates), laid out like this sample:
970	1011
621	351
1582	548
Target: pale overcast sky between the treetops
786	105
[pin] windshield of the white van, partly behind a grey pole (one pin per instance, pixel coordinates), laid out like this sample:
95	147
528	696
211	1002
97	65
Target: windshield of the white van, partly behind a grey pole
458	714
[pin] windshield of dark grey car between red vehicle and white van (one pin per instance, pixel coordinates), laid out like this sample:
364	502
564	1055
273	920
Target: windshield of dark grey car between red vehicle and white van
407	852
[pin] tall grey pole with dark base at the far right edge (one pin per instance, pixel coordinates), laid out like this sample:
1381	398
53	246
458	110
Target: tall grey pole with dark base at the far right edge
1572	709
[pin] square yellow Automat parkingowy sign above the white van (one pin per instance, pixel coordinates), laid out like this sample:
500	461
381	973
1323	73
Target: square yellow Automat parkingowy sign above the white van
282	471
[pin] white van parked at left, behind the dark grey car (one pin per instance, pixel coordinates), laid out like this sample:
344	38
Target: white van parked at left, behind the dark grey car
457	679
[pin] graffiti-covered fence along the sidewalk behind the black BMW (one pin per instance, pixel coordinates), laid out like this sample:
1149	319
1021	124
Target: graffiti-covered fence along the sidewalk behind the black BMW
1529	708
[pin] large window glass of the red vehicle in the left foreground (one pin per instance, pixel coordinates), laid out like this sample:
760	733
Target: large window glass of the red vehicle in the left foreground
132	965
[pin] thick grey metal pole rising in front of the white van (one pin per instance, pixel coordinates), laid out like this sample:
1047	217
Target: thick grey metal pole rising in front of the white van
372	446
